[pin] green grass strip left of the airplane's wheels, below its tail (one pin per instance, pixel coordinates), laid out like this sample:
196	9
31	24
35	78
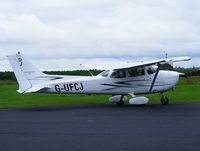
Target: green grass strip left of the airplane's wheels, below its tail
10	98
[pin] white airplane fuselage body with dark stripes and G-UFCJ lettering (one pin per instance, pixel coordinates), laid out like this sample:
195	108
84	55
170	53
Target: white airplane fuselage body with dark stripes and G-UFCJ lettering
165	80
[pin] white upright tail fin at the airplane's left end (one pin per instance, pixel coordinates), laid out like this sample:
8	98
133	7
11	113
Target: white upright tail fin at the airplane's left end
24	71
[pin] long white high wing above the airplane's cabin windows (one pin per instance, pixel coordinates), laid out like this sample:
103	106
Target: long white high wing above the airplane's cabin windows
141	64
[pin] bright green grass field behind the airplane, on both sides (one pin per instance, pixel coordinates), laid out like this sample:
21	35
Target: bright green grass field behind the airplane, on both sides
188	90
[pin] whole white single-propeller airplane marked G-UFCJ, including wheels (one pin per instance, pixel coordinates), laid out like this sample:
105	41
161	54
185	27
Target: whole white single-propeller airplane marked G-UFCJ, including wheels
132	79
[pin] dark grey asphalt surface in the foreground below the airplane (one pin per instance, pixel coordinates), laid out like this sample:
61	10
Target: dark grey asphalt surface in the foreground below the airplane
101	128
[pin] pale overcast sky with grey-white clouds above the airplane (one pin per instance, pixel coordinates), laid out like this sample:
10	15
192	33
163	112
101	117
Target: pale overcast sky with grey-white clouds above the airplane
60	34
